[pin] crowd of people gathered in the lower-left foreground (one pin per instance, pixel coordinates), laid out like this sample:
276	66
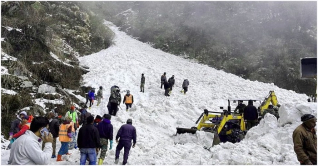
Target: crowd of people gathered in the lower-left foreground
37	144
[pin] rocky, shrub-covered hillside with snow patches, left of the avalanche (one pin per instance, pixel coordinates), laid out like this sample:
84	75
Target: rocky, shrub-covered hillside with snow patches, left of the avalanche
40	45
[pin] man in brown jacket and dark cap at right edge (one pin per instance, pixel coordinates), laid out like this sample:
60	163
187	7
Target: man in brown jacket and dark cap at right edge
305	140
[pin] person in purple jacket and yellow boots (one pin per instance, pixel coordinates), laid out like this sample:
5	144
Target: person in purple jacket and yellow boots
105	129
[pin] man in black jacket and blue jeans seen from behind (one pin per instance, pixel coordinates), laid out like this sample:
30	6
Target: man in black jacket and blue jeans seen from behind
88	142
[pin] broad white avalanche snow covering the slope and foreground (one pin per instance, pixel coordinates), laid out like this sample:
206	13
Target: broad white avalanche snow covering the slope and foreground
156	116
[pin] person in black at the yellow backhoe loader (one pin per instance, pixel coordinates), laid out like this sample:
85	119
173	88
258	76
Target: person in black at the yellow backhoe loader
250	115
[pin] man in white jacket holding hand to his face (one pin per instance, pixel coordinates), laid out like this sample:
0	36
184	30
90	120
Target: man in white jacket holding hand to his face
26	150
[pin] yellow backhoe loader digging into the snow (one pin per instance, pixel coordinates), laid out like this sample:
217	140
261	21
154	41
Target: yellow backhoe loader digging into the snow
229	125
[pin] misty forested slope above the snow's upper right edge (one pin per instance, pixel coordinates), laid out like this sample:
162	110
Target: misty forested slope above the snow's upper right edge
261	41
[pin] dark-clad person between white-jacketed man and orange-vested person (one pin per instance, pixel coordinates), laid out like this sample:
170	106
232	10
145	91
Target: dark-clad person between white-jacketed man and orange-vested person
54	127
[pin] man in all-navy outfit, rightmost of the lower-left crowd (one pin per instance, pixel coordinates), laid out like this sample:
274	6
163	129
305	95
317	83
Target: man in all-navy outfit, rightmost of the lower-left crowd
126	133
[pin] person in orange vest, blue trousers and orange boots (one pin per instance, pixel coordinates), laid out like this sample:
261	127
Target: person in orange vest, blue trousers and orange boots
65	136
